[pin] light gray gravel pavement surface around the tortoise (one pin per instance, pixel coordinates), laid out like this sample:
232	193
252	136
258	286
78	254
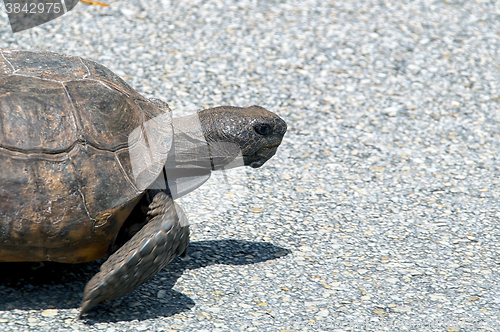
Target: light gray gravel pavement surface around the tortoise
380	211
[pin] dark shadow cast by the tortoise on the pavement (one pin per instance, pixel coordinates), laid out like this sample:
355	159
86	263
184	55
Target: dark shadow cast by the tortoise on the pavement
48	285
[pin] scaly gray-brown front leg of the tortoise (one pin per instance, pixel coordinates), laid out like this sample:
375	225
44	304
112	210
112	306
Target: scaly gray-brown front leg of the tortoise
147	252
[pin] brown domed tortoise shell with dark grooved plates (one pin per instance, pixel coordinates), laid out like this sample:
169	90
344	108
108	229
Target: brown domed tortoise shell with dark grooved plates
66	179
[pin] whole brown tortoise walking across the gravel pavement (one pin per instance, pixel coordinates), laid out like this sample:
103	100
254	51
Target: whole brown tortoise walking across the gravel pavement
90	168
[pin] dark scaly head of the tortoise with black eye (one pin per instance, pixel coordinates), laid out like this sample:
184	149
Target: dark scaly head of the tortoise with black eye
252	131
